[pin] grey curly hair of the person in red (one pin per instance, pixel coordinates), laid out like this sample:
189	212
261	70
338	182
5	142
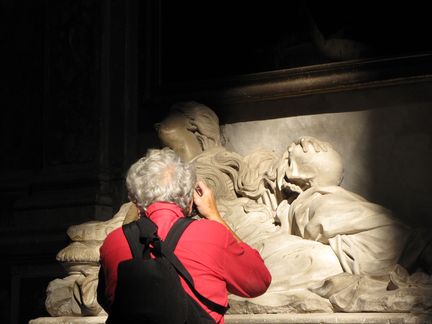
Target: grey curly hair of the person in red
161	176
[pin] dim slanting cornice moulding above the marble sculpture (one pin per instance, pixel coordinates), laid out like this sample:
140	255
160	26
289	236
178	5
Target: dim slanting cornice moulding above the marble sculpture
323	78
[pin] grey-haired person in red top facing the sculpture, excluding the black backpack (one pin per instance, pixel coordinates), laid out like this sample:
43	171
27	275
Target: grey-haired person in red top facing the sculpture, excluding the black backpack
163	187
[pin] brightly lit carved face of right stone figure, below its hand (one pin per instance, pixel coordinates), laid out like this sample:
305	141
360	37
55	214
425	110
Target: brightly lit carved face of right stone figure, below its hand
311	168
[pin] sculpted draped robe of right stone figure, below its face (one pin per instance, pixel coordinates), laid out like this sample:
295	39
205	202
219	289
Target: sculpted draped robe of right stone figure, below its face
366	238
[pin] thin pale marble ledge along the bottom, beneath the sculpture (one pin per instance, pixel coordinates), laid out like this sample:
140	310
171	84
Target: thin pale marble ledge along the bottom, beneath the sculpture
316	318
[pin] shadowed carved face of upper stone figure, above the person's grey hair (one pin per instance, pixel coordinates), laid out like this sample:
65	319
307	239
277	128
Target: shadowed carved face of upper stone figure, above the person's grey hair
174	132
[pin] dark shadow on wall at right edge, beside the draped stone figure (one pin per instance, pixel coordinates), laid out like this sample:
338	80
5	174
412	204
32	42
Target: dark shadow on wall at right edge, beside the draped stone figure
401	156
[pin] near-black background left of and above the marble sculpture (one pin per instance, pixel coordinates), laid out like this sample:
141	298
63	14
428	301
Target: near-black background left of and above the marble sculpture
84	81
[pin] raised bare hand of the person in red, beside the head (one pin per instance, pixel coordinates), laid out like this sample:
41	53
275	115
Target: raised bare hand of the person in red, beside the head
205	201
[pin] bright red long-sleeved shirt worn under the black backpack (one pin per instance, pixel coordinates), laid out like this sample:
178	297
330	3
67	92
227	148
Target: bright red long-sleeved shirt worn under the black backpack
217	262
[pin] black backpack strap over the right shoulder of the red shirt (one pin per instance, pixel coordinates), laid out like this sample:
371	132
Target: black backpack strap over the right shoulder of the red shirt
168	250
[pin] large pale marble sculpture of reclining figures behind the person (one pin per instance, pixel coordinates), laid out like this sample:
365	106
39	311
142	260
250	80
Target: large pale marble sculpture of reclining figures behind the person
328	249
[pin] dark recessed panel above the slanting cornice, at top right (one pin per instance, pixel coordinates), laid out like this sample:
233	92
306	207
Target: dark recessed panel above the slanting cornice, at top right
204	40
